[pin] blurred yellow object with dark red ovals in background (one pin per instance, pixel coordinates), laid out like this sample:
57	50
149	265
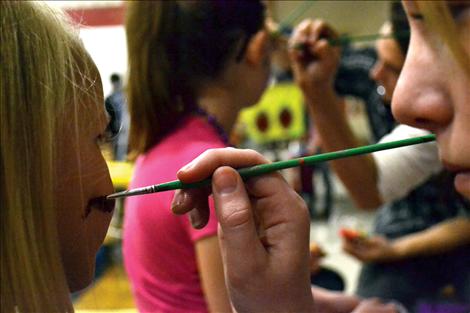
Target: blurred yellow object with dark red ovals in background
280	115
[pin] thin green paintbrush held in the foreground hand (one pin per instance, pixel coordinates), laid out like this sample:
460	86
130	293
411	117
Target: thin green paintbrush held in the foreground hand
258	170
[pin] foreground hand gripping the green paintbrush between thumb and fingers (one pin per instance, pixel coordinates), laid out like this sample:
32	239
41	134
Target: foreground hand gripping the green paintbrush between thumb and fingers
263	232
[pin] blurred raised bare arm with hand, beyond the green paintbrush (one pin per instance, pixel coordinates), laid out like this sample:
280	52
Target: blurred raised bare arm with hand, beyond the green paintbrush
314	70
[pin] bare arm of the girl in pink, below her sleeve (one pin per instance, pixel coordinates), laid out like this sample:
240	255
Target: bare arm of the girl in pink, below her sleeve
211	272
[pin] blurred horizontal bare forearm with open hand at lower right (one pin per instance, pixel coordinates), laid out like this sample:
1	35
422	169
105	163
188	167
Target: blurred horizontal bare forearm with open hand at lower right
441	238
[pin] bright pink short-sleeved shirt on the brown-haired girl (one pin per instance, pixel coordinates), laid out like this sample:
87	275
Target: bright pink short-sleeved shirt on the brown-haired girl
158	246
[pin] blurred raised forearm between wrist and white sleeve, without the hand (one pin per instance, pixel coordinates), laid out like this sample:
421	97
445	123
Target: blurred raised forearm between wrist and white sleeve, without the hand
358	174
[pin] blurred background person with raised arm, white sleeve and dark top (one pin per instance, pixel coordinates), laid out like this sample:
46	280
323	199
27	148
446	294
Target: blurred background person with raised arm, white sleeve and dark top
415	198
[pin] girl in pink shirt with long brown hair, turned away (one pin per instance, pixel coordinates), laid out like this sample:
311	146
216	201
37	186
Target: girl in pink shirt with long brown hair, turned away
192	67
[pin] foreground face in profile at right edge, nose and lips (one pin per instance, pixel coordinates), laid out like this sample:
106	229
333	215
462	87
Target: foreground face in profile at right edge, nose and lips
433	91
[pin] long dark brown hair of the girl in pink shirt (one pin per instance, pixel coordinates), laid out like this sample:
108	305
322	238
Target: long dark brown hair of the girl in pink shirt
173	48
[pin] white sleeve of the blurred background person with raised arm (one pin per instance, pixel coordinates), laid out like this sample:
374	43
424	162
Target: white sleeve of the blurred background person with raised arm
403	169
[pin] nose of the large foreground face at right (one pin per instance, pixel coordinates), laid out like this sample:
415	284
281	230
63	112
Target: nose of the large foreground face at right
421	98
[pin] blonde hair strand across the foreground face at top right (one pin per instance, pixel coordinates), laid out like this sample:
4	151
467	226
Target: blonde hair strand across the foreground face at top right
438	17
